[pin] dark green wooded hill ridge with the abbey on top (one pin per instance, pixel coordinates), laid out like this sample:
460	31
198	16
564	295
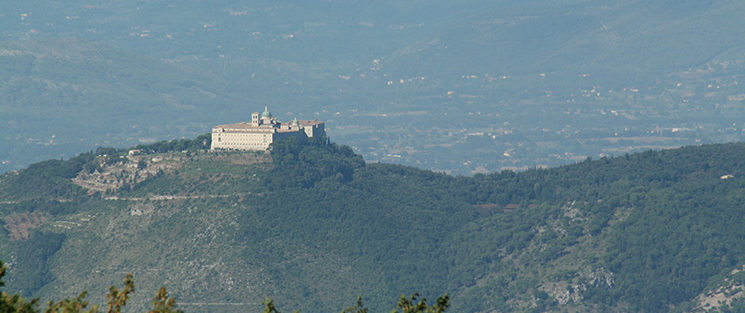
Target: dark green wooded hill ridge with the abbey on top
312	226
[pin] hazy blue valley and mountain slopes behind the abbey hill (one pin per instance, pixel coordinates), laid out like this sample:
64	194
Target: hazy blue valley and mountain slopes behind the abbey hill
462	87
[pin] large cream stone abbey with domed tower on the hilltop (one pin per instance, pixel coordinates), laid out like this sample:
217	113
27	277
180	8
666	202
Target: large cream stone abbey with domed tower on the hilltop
262	131
